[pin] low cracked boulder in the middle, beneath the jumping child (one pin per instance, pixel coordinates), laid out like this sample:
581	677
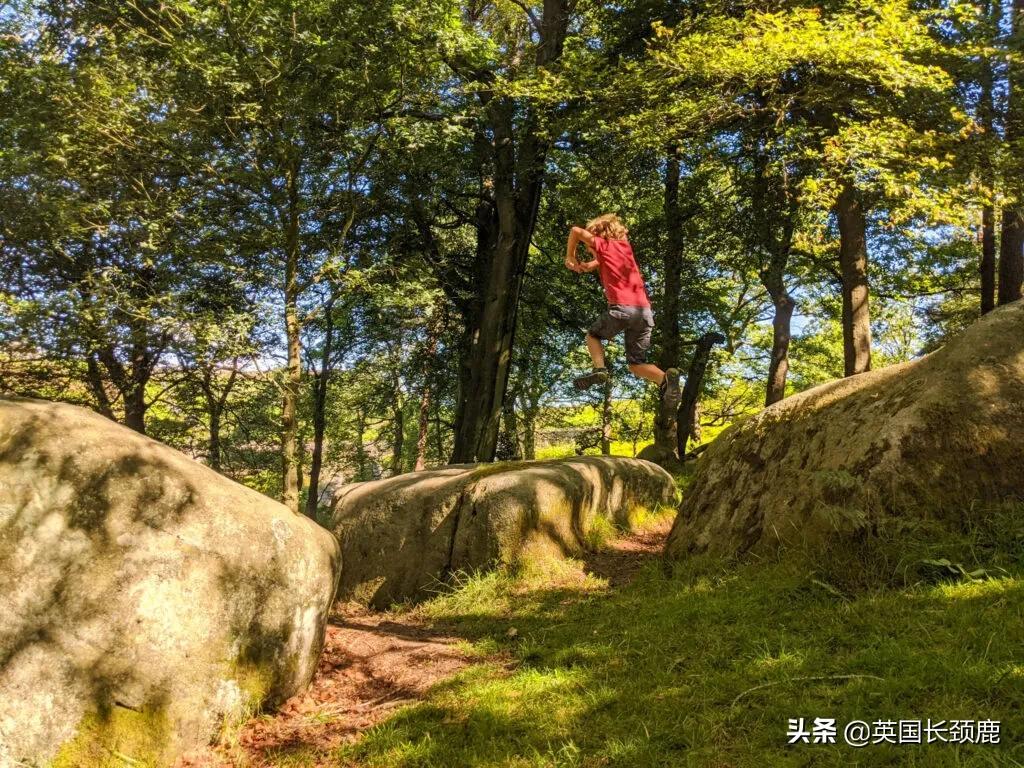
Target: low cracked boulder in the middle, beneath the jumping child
402	536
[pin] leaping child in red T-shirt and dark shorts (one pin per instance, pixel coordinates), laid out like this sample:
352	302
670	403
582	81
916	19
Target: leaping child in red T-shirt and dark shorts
629	308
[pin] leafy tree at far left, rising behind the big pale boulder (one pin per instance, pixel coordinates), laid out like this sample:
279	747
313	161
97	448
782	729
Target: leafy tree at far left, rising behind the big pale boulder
97	234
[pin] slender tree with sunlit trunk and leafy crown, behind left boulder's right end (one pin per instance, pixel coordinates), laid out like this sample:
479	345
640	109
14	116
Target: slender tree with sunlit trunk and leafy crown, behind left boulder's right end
292	117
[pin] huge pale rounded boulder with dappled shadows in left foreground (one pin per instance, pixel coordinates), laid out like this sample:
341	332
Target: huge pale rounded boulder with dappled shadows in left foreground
147	601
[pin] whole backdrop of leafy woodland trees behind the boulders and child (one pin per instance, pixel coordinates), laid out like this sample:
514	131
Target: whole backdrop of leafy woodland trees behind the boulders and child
322	241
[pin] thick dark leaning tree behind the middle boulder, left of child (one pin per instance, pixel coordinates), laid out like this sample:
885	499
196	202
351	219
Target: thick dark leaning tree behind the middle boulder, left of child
513	136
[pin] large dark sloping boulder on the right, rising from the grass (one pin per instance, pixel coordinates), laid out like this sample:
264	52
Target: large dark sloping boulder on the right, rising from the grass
927	438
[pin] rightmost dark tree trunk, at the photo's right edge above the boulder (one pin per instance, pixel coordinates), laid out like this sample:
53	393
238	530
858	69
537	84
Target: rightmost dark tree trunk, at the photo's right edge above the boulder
1012	240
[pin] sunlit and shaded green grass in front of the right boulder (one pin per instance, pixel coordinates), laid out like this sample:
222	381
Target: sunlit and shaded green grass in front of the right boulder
704	667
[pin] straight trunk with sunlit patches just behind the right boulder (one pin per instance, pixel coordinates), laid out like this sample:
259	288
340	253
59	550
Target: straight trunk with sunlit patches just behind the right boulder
854	267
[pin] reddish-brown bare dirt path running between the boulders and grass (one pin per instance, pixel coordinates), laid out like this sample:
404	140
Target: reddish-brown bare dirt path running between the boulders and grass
375	663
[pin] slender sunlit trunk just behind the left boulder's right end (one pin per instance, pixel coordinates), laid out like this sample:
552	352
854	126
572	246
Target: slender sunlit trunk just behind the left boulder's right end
293	374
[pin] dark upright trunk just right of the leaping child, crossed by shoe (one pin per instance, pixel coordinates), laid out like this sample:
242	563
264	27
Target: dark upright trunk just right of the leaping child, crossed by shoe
665	421
